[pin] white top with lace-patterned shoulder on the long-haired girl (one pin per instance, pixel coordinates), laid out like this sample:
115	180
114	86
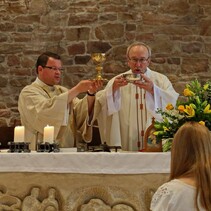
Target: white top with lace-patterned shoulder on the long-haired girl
174	196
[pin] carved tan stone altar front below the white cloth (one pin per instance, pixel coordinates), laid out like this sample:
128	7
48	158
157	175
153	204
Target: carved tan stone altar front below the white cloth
73	192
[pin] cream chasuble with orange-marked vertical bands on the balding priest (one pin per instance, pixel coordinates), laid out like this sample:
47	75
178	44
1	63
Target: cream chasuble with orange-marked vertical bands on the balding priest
126	117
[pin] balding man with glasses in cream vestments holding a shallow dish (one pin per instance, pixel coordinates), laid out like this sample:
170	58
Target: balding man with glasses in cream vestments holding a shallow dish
132	105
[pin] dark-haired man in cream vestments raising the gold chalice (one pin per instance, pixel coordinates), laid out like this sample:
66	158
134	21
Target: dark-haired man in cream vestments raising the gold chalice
44	102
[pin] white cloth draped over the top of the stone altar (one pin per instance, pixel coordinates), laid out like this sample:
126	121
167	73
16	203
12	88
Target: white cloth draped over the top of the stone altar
86	162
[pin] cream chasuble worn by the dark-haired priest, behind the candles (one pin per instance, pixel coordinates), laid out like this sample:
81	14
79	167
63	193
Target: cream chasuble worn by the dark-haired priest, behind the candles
40	105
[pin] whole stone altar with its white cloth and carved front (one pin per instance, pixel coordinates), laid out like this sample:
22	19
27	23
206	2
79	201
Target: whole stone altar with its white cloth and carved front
72	181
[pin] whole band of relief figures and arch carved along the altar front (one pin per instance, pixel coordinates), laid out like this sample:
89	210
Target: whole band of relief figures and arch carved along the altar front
97	198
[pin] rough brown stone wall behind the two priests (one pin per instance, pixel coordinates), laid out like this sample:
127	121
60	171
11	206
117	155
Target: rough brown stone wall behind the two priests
178	31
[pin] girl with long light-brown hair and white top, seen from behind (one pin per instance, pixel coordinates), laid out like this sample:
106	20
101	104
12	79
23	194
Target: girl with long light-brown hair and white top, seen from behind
189	187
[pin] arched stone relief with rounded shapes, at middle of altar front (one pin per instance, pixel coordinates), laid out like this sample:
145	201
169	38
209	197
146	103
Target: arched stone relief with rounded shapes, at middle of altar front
102	198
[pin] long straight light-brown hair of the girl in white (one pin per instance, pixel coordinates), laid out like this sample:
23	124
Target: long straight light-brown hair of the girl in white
191	157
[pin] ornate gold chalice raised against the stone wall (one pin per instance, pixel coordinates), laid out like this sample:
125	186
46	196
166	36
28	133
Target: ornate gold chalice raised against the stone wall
98	59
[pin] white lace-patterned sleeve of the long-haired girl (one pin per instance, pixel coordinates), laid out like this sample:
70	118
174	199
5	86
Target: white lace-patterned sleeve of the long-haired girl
161	198
